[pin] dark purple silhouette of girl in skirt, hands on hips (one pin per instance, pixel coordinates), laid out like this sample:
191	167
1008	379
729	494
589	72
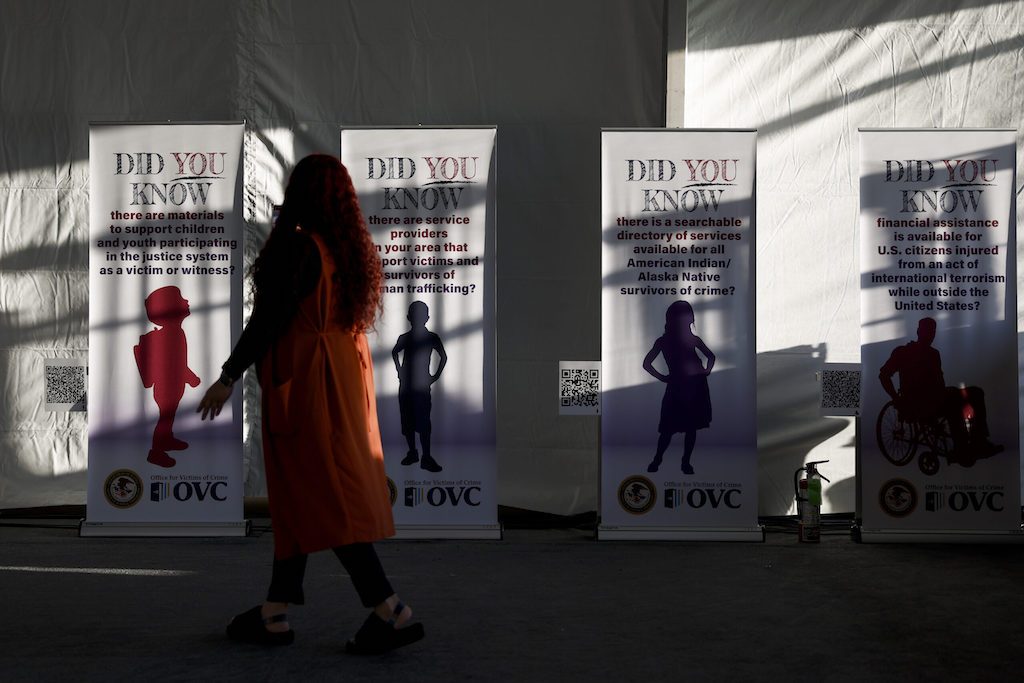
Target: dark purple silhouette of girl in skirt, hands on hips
687	405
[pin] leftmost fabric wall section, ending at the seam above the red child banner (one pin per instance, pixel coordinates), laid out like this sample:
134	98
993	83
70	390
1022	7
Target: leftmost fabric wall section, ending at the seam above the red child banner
64	65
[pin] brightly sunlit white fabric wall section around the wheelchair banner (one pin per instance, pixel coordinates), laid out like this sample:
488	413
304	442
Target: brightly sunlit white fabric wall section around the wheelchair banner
807	75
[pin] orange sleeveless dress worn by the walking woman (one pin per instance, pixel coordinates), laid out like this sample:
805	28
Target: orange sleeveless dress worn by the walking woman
322	445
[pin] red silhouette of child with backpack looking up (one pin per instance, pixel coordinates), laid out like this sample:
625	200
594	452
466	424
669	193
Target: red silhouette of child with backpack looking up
162	357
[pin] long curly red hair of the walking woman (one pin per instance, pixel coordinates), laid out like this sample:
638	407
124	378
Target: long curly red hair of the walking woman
320	198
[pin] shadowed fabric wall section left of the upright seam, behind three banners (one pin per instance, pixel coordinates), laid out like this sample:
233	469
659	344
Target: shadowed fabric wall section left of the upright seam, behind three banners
548	74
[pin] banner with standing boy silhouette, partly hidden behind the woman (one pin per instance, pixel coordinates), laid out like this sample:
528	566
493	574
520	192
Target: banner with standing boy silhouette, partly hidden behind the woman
429	198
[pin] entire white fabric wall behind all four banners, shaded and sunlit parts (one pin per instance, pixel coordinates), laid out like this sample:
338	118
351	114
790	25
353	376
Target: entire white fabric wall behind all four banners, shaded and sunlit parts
806	74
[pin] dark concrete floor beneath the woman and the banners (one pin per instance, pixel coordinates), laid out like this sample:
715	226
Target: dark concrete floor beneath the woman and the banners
540	606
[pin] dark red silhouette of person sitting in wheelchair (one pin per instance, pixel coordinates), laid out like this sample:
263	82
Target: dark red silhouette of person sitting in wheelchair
925	413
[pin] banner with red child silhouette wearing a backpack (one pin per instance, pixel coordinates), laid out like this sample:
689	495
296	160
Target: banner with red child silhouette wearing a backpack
165	273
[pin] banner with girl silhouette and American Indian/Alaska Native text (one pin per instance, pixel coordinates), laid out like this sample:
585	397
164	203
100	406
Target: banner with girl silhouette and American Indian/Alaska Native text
678	432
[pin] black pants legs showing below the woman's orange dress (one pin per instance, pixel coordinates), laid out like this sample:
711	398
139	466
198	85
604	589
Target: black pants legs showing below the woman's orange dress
360	561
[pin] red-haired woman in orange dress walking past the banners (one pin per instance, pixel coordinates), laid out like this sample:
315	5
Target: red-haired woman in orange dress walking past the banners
318	288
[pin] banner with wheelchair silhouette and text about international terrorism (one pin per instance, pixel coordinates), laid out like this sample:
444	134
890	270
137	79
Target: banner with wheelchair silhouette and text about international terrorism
940	454
